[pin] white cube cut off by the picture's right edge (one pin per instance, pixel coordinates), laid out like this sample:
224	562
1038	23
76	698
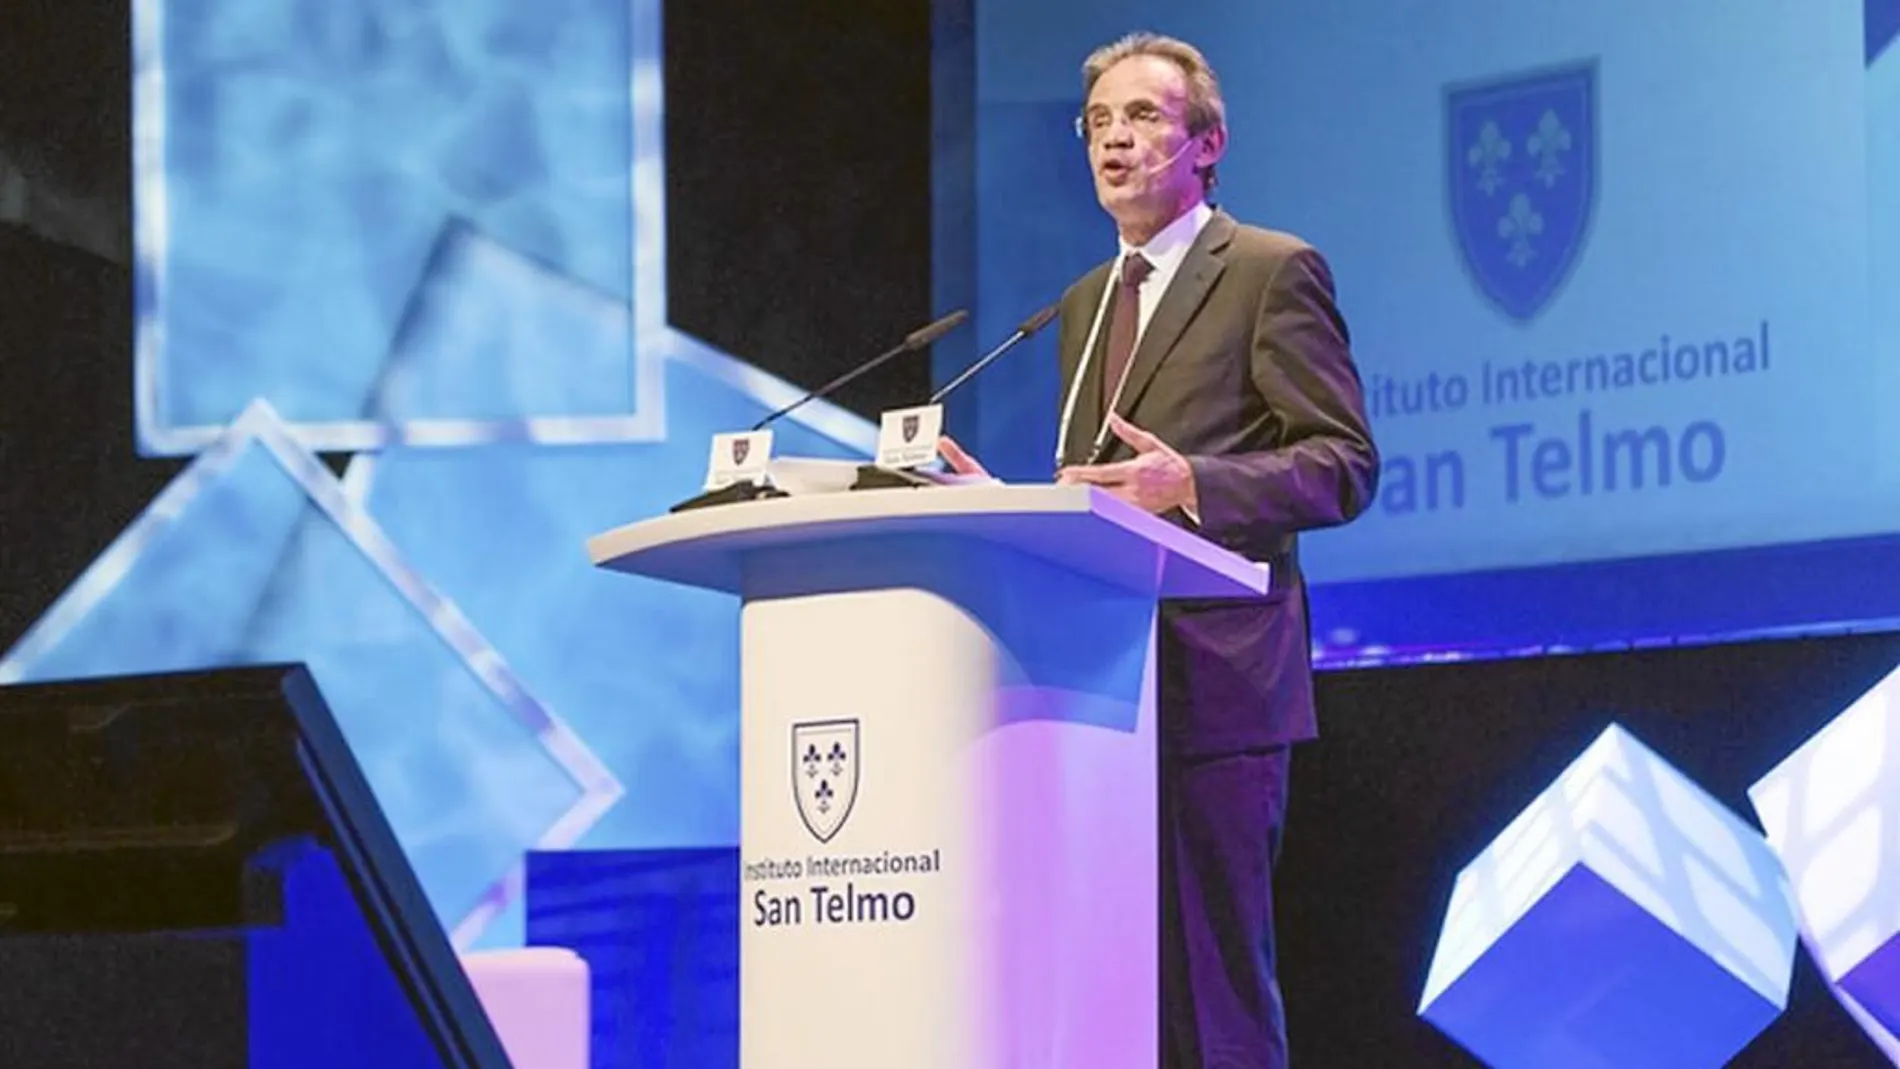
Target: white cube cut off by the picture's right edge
1833	816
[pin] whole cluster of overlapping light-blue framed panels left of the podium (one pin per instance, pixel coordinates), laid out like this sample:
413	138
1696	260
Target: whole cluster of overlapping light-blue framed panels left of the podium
432	233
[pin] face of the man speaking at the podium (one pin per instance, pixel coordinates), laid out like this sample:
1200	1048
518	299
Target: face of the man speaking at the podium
1145	162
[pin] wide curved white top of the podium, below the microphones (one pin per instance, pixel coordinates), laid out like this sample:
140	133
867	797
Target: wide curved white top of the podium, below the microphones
1074	527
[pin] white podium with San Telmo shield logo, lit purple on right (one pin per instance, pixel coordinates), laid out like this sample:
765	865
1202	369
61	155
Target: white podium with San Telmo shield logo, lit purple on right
949	768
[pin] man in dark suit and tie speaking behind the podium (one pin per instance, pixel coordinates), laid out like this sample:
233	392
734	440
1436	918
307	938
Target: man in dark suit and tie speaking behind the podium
1207	377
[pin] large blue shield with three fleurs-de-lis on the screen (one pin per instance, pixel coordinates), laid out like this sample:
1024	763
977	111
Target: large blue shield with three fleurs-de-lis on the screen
1523	181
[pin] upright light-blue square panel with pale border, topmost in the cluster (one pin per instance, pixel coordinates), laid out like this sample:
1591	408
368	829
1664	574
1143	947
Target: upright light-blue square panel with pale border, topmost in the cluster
309	176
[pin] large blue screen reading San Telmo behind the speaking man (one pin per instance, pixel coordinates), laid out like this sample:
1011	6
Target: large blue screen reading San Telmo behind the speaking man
1622	282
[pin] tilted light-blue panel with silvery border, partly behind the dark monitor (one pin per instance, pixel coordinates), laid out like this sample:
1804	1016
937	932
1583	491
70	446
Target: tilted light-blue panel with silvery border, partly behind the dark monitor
254	557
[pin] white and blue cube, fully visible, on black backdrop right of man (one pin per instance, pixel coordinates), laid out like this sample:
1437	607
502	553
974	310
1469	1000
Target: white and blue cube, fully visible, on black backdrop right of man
1624	920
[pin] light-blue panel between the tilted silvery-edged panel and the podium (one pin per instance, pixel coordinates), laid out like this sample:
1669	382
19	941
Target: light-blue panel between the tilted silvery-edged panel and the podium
647	673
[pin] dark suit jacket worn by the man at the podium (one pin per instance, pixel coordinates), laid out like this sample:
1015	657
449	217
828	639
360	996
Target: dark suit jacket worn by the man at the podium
1247	371
